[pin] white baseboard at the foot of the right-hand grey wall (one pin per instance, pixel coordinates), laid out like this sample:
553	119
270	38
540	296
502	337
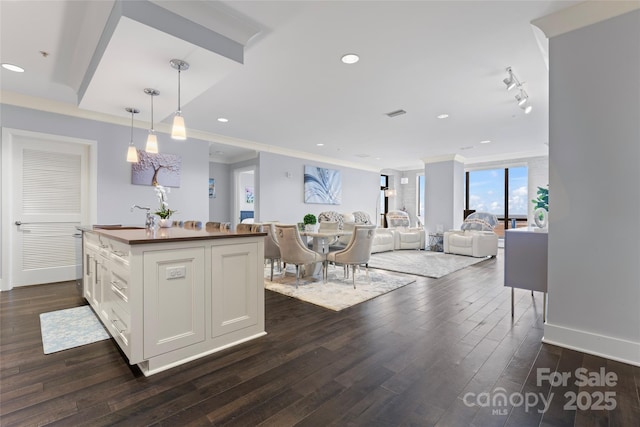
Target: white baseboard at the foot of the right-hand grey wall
598	345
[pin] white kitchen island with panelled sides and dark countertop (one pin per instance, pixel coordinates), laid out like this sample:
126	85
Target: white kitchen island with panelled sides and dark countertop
174	295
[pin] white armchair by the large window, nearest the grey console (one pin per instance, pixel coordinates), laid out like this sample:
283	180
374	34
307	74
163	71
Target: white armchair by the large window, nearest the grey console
475	237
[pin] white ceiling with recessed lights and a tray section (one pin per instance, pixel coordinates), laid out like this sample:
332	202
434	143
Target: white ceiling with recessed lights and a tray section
291	92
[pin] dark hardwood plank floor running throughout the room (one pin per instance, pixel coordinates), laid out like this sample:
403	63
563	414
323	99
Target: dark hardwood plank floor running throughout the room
436	352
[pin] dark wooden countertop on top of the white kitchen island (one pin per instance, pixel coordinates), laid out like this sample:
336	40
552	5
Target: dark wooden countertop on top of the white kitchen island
132	236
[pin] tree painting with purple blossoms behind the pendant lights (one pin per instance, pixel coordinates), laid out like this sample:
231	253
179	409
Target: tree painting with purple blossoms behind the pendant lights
156	169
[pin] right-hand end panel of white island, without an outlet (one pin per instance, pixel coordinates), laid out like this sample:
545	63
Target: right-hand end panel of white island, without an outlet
234	297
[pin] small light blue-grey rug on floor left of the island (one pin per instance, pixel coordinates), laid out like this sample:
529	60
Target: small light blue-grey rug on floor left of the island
72	327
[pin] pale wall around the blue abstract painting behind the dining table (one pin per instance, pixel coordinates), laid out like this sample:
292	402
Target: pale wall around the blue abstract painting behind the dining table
281	196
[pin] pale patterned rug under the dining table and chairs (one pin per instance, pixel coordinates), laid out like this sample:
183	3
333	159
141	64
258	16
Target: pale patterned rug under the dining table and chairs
338	293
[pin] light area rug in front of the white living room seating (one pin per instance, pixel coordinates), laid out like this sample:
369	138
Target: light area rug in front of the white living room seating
421	263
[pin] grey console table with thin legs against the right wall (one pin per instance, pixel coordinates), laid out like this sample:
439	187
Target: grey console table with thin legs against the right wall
525	262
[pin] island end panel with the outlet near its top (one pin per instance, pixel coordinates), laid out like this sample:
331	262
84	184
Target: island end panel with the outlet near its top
174	299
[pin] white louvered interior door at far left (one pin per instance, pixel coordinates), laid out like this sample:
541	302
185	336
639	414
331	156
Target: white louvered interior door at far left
48	200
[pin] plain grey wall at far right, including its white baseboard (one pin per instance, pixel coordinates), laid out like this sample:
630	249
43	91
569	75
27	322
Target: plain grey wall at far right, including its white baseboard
594	189
